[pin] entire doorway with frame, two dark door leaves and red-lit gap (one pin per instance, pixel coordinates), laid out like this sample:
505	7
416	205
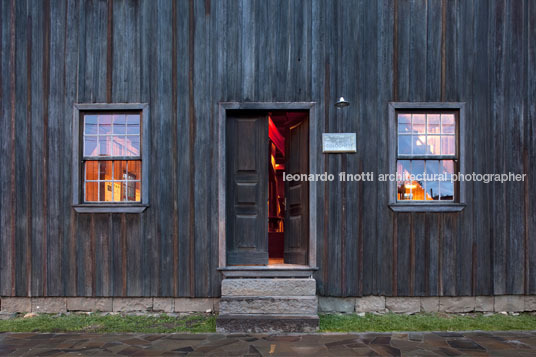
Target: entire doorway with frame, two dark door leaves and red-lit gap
265	220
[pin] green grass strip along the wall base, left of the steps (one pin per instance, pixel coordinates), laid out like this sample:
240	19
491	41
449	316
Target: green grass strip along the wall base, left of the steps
110	323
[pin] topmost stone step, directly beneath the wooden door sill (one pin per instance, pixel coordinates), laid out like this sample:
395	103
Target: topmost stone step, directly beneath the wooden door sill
268	287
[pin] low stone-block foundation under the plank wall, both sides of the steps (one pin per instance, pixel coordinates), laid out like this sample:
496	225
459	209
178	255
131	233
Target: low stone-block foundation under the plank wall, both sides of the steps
381	304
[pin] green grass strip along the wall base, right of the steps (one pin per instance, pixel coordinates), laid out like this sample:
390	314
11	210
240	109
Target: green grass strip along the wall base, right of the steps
425	322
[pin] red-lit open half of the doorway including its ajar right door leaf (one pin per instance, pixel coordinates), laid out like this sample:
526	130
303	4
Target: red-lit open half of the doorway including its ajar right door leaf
287	208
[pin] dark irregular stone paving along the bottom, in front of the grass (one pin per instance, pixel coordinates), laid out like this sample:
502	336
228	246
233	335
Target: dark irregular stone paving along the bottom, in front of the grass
363	344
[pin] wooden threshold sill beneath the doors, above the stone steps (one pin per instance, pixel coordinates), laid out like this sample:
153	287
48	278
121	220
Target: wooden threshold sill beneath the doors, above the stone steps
268	271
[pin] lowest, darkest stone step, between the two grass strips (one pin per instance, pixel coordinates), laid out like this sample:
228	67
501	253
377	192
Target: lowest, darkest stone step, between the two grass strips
266	323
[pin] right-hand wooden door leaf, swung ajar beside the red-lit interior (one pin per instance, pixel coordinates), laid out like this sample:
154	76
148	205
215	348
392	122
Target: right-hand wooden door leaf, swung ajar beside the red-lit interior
297	194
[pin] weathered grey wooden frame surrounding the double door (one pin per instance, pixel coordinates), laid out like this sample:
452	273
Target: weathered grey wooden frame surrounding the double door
314	151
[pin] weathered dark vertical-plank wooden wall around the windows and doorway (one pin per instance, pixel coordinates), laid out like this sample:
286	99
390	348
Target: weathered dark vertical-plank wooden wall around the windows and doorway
184	57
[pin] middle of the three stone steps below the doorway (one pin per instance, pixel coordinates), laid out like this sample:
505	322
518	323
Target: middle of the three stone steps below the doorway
294	305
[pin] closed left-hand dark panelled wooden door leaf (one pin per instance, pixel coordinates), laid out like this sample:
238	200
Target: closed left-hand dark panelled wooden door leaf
247	189
